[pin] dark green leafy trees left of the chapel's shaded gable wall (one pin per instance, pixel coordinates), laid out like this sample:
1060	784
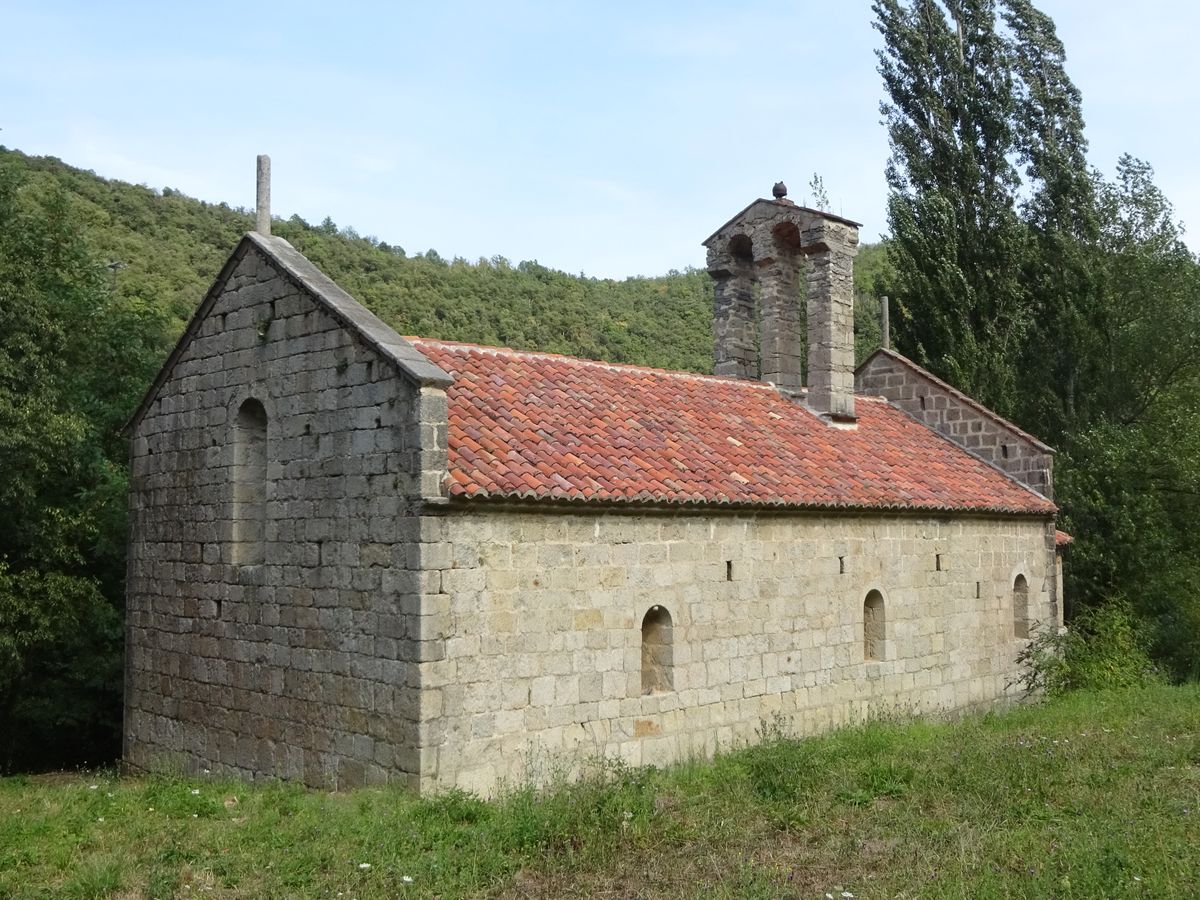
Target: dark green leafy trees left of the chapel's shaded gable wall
69	356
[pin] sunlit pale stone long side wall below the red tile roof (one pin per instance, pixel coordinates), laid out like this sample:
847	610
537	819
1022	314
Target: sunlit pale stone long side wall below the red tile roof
542	616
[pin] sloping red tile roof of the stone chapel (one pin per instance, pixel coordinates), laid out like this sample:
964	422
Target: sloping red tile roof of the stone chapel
542	427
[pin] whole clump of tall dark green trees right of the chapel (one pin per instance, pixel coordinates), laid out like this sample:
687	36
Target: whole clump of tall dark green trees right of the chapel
1064	301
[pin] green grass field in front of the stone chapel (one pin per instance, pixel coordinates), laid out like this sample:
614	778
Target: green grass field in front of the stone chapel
1085	797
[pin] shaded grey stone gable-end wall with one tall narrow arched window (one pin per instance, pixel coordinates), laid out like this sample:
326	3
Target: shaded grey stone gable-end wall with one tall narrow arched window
304	667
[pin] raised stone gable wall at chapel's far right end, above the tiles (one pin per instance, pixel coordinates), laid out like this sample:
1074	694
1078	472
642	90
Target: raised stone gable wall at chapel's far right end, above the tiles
957	417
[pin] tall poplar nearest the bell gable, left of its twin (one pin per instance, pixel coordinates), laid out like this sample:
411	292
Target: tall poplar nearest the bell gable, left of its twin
952	209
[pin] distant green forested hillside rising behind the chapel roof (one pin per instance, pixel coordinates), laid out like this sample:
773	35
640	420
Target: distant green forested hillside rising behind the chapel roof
164	250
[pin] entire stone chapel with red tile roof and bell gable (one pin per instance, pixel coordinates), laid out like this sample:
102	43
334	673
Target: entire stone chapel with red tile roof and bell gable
358	557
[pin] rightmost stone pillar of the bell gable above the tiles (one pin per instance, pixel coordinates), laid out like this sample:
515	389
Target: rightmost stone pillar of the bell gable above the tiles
831	249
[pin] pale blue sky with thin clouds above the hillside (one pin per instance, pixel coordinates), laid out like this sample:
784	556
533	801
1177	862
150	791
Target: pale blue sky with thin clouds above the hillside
607	139
